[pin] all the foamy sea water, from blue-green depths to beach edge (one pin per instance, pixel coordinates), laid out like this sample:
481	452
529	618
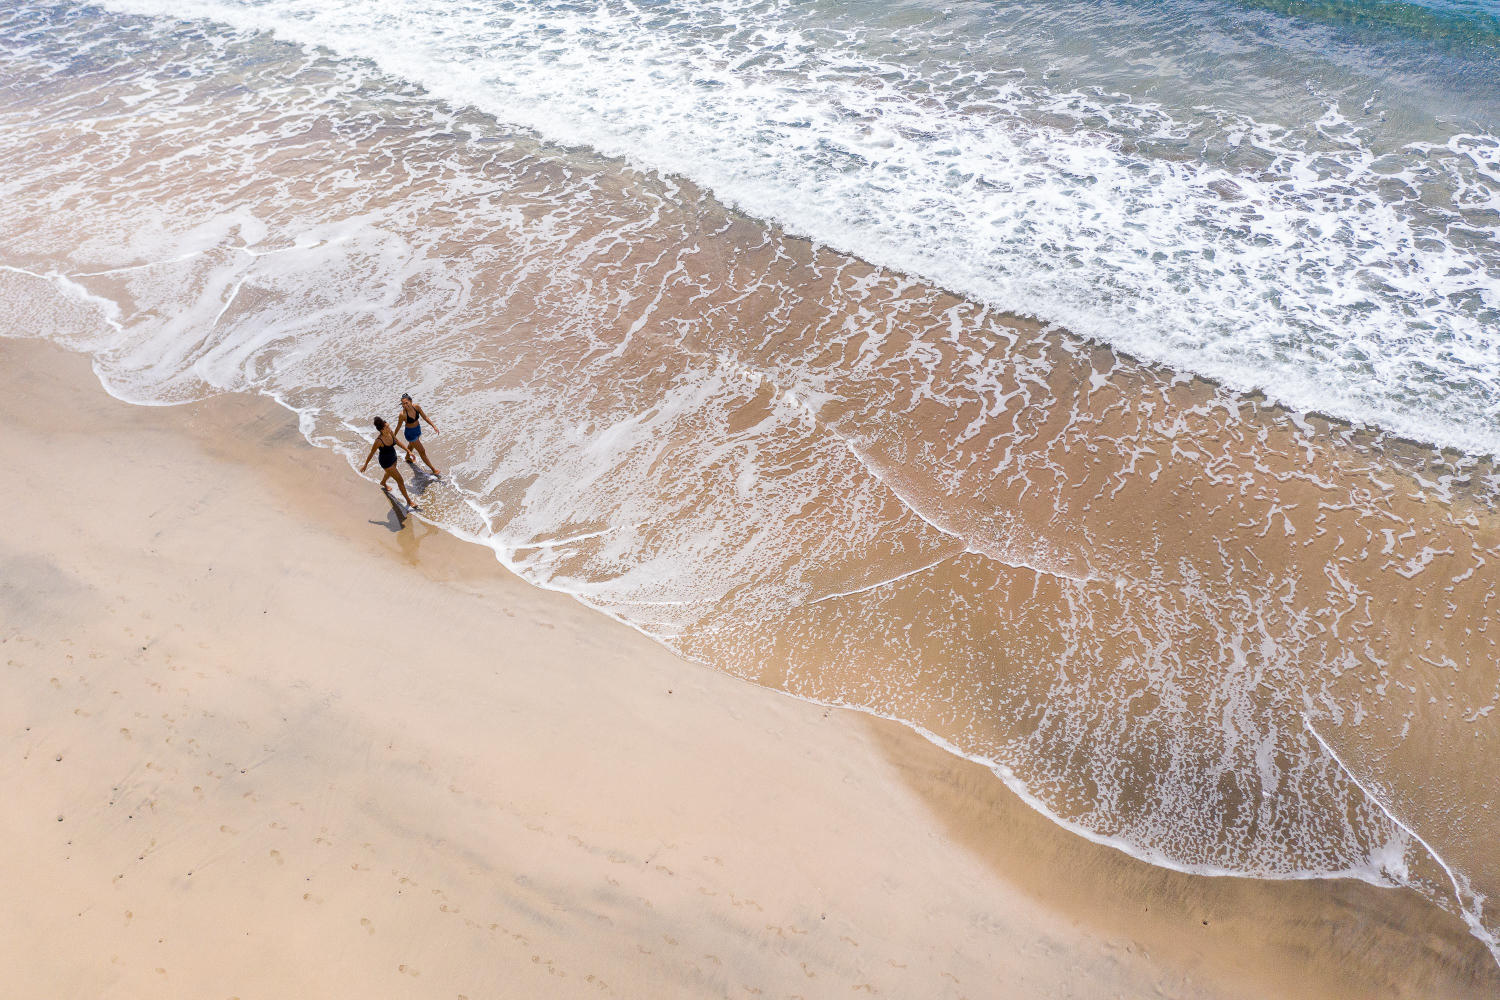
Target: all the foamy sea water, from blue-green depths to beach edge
1106	391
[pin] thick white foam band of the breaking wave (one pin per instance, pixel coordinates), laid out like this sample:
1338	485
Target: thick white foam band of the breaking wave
1316	260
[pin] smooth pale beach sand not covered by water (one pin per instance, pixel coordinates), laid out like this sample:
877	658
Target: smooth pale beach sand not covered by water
260	743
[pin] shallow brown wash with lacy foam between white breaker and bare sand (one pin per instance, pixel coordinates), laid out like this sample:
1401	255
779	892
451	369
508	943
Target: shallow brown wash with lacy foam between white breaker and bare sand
1211	633
